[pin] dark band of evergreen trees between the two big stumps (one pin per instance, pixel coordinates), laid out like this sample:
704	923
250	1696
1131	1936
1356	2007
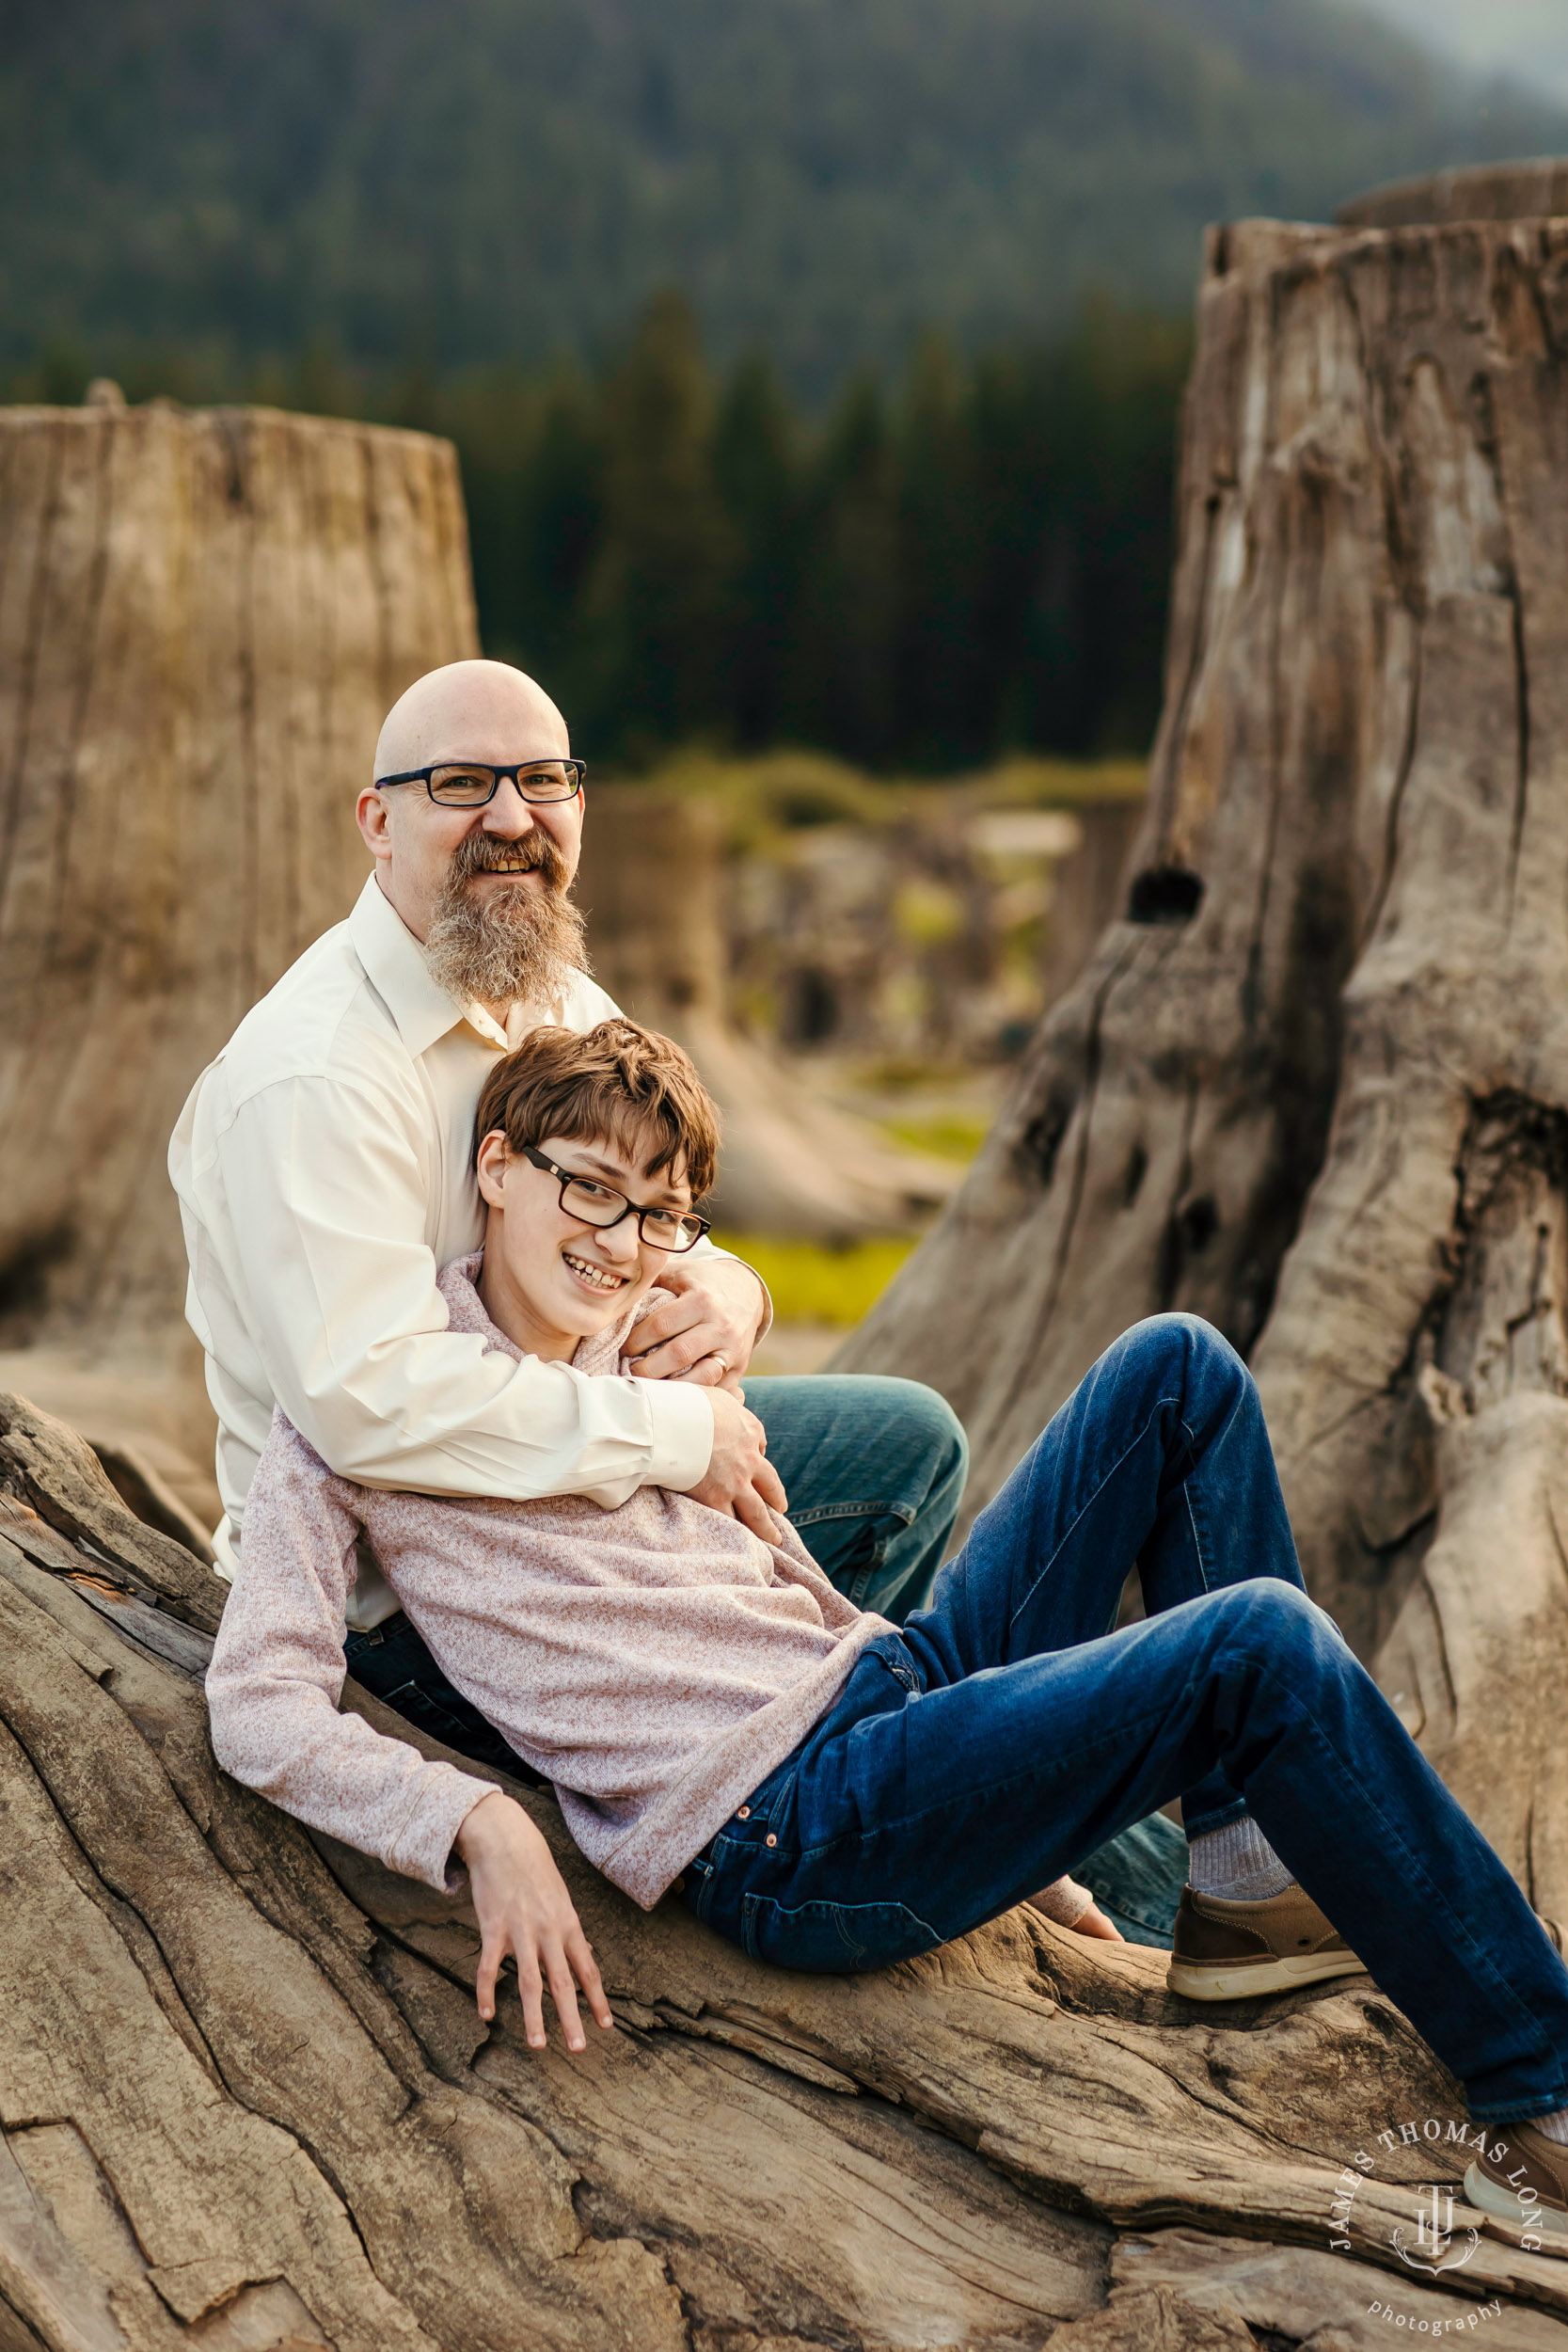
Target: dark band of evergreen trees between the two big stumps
920	580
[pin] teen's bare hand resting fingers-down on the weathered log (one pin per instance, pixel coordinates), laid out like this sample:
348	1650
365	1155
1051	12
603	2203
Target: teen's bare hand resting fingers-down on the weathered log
525	1911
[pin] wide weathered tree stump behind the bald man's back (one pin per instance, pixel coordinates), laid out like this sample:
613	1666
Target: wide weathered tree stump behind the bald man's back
203	620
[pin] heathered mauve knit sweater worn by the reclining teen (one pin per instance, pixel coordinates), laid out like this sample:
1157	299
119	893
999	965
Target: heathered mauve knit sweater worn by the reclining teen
655	1662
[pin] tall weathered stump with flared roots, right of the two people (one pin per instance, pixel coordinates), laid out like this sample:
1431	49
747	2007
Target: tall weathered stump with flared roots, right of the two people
1315	1083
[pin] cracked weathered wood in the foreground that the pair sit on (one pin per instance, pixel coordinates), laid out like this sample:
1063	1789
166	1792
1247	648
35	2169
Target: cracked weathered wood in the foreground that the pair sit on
246	2097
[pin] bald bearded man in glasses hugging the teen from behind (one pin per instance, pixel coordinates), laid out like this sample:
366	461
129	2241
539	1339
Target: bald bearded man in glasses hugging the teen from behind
326	1175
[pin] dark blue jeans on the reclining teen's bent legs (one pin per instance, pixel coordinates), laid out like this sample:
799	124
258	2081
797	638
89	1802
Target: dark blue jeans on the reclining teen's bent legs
1007	1732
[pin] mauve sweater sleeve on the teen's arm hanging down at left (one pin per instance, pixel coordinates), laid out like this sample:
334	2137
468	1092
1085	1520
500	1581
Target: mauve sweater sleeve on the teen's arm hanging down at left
279	1673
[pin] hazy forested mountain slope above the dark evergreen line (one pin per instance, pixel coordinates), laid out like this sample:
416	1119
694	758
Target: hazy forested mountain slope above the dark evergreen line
511	178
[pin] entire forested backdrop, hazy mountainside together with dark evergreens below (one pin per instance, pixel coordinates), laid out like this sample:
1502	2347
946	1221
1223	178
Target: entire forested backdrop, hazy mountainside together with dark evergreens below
815	363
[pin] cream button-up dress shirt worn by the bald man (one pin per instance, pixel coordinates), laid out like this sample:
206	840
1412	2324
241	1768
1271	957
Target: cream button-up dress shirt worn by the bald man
326	1175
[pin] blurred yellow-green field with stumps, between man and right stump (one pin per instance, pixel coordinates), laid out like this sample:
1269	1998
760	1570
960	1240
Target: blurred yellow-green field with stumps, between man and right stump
892	947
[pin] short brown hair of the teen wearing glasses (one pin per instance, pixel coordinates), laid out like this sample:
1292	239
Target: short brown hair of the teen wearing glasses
615	1083
